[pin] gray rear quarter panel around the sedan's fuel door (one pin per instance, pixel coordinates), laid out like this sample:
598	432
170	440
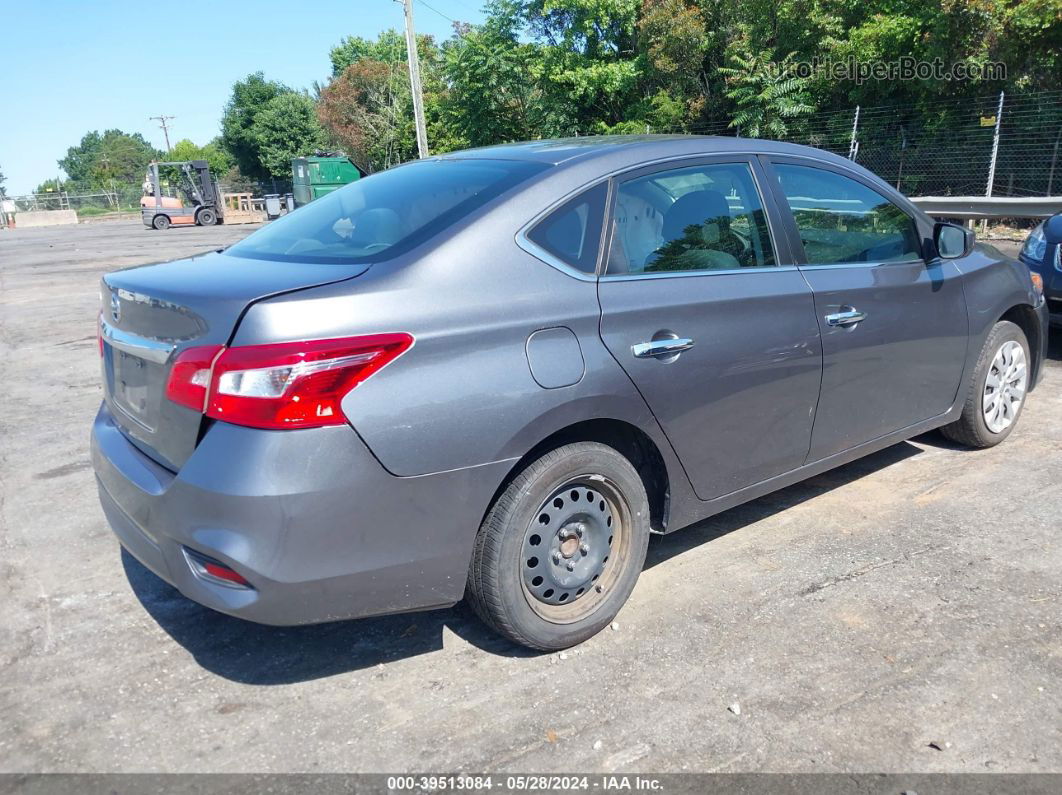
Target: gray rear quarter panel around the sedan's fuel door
465	394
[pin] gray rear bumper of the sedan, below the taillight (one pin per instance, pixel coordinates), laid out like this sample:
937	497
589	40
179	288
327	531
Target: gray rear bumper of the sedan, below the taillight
310	519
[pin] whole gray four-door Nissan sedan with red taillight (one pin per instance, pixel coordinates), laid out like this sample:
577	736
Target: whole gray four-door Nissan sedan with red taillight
494	374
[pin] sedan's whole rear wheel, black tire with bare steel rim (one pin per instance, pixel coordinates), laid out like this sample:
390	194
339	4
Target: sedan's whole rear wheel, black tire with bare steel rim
562	548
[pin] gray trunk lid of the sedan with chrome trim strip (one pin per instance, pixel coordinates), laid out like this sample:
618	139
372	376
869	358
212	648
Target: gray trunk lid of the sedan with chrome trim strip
151	314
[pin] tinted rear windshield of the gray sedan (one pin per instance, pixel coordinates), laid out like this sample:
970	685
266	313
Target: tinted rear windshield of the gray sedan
385	215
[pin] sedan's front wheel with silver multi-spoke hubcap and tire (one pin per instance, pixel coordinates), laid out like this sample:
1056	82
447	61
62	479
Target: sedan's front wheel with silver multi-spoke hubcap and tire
997	392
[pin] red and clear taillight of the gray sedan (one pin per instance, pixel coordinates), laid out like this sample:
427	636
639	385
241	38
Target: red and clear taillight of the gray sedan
281	386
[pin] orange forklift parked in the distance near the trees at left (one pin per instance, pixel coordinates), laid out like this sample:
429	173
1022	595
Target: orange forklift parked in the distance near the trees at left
199	201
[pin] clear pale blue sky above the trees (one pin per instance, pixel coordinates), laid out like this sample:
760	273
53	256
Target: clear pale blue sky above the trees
71	67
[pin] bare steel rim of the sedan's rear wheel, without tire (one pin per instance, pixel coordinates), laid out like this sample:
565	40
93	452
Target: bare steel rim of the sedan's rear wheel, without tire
575	549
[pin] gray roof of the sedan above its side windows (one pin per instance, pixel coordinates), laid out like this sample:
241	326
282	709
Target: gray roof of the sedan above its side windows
619	151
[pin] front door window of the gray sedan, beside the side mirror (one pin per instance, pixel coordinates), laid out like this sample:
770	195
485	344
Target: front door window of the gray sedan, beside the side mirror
843	221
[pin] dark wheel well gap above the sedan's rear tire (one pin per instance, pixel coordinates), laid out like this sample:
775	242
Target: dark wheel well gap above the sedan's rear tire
631	442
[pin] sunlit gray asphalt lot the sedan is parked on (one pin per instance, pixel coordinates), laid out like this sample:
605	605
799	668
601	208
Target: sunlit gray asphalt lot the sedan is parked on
906	601
